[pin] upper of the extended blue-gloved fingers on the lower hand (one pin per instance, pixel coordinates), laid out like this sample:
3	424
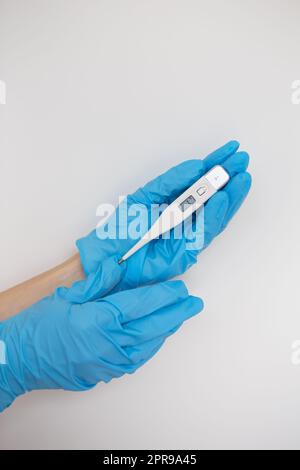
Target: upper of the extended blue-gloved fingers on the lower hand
141	302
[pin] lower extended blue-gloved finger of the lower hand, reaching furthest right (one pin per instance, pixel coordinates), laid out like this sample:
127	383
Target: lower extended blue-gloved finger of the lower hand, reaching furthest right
161	322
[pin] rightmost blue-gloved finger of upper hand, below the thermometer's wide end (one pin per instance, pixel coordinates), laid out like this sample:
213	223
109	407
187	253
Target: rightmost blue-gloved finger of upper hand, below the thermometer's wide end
237	190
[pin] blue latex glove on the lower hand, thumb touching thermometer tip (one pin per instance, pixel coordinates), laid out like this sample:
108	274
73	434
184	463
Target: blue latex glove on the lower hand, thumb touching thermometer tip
60	344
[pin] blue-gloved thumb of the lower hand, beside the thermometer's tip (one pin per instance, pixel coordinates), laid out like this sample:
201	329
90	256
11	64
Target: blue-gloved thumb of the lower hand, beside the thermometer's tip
96	285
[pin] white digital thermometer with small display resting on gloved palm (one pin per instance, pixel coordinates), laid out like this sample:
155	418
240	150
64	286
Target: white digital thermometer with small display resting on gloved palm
189	201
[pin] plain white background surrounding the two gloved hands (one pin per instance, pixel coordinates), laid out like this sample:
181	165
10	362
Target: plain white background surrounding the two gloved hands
104	95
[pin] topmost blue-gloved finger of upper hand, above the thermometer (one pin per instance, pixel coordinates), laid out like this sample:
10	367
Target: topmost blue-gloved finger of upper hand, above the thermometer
166	187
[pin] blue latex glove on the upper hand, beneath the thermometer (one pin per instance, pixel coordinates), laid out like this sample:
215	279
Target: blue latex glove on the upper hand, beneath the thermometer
165	258
